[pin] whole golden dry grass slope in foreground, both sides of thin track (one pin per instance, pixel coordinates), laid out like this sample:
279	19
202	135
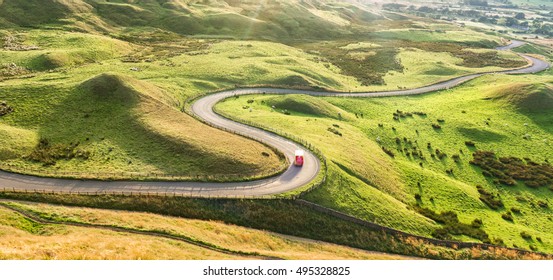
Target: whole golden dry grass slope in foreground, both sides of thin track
22	235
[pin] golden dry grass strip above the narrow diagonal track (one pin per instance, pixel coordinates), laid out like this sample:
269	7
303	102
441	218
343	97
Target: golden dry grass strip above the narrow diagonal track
217	233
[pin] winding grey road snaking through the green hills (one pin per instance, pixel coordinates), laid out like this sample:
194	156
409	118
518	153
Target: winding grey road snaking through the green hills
292	178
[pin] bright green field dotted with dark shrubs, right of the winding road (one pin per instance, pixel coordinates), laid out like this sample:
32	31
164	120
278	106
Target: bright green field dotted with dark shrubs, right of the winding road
504	114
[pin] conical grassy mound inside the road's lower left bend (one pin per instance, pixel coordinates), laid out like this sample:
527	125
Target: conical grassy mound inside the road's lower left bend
113	123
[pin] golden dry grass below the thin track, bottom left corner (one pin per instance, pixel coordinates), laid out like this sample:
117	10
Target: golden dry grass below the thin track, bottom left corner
66	242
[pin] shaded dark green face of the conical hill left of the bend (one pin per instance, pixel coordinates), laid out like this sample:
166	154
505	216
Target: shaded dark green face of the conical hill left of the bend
107	118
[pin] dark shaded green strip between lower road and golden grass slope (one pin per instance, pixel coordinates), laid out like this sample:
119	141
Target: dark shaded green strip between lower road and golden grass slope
278	216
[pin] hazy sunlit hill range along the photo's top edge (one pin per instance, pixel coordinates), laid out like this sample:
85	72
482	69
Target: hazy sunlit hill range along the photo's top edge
270	19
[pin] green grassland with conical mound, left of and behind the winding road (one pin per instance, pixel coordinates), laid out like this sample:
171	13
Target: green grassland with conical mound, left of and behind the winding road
58	90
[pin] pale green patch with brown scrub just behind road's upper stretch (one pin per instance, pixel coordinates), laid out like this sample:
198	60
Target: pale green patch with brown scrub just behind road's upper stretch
392	63
